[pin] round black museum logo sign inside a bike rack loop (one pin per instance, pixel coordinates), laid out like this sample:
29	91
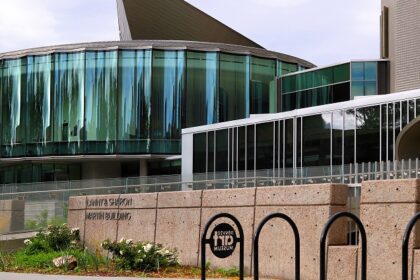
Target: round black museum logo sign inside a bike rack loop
223	240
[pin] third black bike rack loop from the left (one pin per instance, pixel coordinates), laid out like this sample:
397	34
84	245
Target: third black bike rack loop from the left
324	235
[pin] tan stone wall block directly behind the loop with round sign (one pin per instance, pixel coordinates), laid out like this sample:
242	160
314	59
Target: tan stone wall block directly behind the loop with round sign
245	215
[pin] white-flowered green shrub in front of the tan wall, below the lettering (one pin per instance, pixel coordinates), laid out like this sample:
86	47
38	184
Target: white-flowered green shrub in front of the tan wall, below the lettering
145	256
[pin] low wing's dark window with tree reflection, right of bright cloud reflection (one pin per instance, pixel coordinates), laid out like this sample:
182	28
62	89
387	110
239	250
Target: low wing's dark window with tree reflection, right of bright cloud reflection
367	133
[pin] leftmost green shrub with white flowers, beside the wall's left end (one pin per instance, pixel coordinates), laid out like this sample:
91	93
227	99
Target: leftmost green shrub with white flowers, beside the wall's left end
53	239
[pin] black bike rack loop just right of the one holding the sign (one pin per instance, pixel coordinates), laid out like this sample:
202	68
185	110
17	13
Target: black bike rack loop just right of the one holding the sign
297	243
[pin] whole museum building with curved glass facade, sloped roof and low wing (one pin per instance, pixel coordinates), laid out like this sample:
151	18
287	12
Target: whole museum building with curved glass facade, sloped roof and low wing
180	82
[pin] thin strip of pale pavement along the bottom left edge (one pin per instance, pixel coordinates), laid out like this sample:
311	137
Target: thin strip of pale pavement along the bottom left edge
21	276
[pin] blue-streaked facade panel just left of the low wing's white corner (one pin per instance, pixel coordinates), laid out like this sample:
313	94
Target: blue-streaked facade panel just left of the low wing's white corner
167	88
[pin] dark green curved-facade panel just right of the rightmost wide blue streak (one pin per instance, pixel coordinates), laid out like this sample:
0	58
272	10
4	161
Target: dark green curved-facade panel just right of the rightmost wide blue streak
234	87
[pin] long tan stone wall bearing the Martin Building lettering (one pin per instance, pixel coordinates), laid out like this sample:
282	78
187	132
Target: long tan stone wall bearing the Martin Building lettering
177	220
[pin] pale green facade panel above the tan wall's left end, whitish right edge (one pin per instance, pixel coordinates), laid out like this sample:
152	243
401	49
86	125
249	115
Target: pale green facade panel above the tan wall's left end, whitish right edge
68	101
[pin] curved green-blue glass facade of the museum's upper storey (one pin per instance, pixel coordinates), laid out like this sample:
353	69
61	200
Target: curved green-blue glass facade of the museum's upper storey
126	101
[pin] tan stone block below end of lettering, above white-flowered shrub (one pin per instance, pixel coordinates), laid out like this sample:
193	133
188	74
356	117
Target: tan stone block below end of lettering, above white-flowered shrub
141	227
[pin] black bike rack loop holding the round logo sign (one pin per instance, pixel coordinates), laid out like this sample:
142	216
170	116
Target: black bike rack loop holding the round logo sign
238	239
